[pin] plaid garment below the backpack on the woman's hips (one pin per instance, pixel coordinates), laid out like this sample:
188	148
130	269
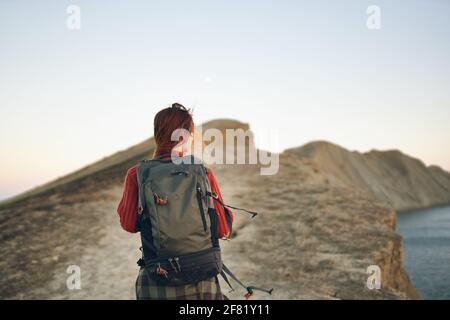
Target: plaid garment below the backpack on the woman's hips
148	289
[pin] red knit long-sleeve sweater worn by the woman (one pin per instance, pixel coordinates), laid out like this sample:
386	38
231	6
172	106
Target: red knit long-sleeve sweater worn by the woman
128	206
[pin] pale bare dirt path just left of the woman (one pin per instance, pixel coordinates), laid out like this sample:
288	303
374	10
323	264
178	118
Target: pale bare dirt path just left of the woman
108	267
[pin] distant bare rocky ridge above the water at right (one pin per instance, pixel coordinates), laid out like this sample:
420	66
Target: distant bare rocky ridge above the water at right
399	180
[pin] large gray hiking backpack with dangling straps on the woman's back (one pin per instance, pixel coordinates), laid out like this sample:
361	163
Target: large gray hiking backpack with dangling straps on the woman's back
178	222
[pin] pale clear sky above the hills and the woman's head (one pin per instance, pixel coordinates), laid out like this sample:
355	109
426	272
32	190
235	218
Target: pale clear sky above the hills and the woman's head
310	70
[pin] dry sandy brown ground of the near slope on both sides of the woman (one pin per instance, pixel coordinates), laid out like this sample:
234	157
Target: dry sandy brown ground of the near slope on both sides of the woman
311	240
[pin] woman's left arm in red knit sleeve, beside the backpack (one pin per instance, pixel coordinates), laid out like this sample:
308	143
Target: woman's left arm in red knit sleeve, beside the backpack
128	205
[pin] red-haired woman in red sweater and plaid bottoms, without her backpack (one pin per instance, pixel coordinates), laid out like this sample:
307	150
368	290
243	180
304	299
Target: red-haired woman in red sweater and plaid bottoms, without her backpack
165	123
